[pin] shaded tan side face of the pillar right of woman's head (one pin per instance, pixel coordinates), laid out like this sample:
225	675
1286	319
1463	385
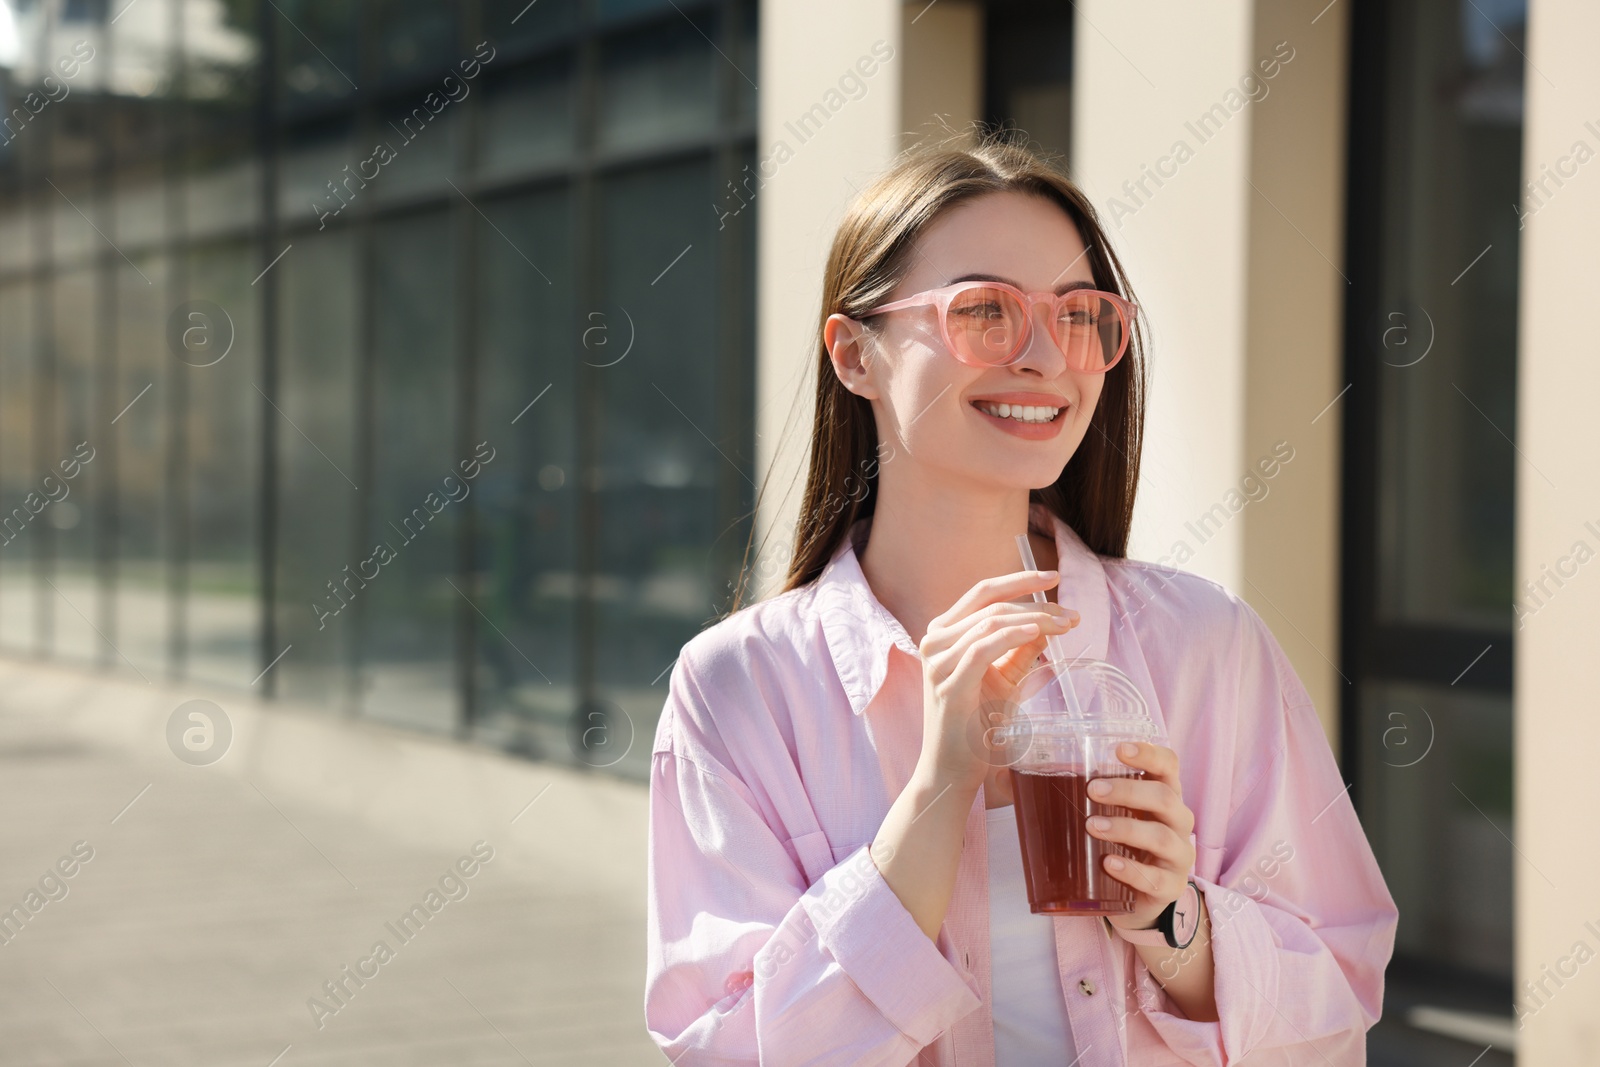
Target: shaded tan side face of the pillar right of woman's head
1294	343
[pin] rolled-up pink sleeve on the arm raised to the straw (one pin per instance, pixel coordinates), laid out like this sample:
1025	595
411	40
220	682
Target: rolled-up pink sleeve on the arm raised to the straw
746	964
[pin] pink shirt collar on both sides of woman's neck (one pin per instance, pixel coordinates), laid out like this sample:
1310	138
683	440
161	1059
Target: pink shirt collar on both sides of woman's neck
860	631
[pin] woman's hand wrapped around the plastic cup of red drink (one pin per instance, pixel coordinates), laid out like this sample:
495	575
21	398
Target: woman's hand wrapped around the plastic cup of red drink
1164	834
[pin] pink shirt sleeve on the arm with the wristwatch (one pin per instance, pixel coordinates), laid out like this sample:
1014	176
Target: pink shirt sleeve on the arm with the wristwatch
1302	921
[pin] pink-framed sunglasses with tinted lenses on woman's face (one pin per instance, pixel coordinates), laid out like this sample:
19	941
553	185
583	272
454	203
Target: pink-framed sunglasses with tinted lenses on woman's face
988	324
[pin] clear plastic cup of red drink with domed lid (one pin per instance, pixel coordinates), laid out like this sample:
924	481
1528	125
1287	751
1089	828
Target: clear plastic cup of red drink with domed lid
1055	751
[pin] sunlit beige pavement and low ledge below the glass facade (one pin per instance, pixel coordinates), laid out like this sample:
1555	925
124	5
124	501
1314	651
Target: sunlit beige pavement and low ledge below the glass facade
220	900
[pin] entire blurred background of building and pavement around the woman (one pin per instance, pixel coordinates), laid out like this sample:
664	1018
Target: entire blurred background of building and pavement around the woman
406	378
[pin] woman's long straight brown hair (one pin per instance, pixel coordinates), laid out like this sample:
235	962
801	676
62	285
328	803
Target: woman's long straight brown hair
870	255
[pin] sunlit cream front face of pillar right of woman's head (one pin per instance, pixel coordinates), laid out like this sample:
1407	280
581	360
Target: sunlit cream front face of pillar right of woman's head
1137	84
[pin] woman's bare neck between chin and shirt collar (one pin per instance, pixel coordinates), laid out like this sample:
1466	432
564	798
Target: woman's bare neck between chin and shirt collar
929	546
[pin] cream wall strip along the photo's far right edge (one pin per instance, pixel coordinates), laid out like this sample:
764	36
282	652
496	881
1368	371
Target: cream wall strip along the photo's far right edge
1556	679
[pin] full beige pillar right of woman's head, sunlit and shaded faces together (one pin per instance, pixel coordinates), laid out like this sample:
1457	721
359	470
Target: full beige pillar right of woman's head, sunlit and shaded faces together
1233	236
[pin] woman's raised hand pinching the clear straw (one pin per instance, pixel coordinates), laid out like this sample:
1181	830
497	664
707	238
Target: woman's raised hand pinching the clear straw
975	655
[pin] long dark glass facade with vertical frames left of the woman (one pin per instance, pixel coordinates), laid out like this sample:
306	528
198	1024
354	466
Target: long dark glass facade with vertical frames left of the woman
599	137
